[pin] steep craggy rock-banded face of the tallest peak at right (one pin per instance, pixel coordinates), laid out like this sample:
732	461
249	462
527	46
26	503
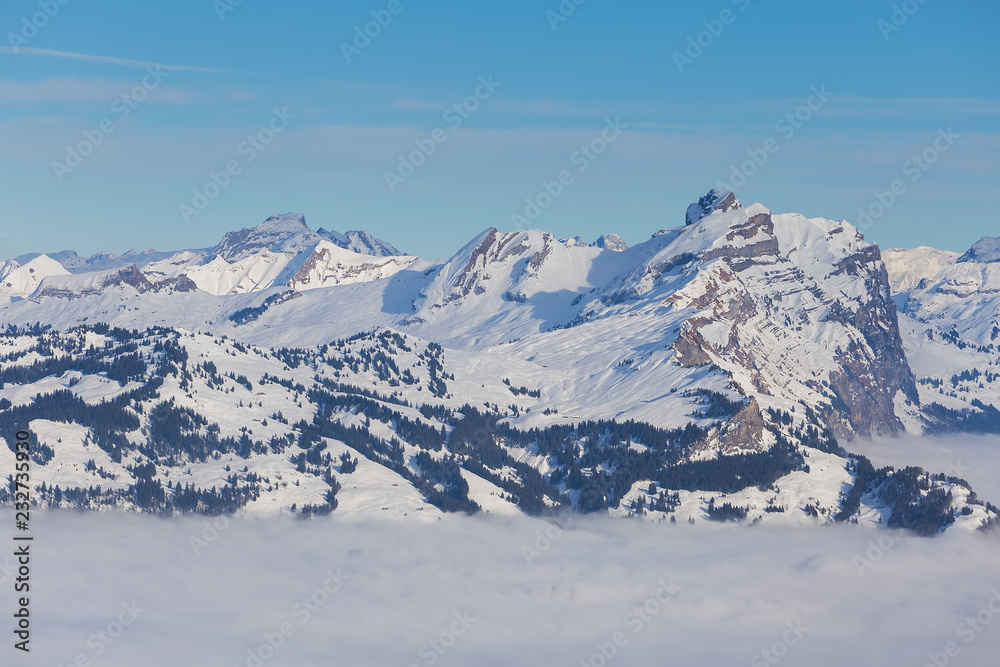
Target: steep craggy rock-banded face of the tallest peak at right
793	310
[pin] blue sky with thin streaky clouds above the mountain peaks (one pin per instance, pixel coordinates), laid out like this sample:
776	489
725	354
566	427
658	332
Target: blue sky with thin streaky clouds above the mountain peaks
891	89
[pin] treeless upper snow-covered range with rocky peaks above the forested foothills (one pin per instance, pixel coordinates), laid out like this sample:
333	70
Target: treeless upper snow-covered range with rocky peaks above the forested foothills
791	313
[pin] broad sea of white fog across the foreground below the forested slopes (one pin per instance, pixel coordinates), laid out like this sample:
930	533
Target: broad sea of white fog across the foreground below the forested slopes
465	583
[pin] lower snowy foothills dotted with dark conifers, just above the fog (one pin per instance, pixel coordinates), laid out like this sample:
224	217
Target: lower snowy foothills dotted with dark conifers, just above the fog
376	427
